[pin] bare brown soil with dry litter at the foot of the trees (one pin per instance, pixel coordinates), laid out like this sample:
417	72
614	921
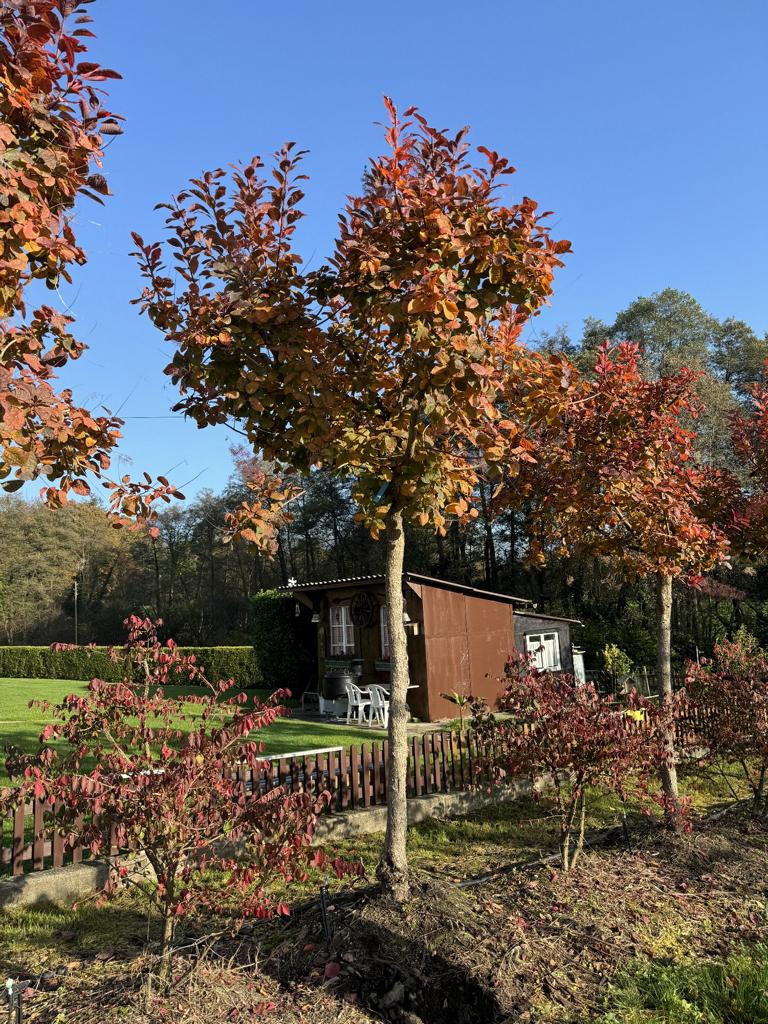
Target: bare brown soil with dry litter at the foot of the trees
532	946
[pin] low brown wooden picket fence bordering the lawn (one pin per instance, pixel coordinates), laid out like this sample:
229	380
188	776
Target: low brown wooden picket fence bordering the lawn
356	778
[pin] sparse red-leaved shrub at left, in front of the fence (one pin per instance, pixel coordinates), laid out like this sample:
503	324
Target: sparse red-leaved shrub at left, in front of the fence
185	799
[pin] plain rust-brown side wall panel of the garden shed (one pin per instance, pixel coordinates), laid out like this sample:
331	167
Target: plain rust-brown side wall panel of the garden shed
467	641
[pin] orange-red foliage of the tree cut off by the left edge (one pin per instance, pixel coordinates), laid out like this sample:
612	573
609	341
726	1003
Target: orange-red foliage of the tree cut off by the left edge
53	126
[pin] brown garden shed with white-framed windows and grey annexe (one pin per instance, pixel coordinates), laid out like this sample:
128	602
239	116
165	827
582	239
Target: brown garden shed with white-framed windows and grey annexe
459	637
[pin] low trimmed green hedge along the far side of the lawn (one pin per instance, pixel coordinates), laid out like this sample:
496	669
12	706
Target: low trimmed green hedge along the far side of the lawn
95	663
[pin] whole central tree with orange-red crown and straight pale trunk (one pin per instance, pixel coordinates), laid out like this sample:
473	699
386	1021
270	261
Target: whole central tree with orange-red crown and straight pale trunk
382	366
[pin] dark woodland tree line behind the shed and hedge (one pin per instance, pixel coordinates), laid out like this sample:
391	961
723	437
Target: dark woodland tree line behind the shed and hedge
202	588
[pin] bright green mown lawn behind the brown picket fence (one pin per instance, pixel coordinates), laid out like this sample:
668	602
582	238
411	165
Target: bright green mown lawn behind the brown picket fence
21	724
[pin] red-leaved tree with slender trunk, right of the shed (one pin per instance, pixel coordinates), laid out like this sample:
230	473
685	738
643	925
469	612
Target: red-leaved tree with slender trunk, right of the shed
616	481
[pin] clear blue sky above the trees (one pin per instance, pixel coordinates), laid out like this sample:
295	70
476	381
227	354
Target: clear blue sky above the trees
643	124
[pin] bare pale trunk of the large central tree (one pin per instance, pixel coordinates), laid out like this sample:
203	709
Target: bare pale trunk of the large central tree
393	870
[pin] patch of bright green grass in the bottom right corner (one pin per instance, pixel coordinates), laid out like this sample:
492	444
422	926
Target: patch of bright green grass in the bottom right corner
731	992
